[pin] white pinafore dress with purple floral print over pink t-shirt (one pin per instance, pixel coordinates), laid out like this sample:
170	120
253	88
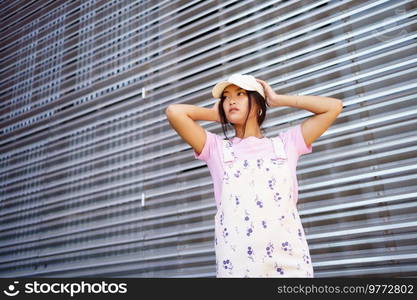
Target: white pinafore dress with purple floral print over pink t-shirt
258	231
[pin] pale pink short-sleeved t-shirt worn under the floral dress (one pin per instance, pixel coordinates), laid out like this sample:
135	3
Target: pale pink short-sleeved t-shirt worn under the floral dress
251	147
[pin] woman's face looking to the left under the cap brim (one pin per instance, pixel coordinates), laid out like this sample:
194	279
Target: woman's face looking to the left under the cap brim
235	104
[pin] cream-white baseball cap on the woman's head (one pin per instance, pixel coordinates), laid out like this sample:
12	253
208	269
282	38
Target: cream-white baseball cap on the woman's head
247	82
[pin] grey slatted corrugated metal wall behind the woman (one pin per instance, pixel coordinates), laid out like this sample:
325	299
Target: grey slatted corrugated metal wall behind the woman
94	181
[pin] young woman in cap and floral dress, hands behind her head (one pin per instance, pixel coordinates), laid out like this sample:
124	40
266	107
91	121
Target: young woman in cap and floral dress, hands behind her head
258	231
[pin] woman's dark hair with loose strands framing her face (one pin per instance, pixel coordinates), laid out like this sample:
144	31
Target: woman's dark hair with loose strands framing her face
253	96
